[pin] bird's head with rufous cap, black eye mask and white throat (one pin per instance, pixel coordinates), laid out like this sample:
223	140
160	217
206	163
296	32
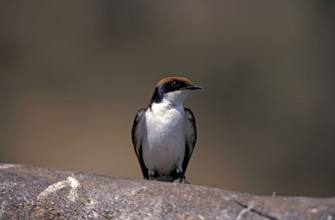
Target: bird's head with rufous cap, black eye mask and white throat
173	90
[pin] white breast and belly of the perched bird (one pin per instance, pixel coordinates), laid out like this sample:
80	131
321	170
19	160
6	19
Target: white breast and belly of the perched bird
164	145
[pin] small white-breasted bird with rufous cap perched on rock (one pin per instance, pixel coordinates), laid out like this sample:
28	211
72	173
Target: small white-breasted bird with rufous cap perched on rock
164	134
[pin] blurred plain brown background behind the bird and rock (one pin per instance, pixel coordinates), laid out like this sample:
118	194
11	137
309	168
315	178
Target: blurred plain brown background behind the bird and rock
74	73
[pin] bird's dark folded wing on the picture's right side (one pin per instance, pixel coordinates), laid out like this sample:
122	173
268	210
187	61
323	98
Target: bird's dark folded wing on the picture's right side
191	137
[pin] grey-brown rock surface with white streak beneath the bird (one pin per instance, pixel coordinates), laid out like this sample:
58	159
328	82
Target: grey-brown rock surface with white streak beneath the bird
28	192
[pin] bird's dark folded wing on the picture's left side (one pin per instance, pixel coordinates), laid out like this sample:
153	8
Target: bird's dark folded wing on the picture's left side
136	137
